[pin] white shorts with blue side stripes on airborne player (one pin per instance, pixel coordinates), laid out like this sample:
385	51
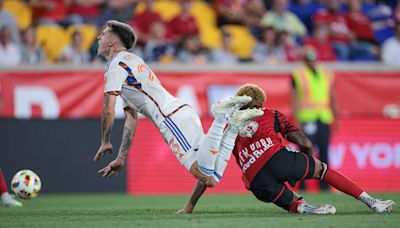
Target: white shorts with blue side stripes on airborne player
183	131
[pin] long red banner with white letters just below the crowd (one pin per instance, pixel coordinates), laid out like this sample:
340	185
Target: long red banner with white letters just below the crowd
78	94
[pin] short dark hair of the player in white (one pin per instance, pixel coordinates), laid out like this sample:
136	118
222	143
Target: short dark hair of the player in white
124	32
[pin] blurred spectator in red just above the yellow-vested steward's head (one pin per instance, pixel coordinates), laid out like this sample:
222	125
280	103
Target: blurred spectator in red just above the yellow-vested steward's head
320	43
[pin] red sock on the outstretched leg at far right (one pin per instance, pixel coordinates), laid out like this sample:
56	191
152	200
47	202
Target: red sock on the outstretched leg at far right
342	183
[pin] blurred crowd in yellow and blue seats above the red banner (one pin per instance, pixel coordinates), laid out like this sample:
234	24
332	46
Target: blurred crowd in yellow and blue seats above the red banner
202	31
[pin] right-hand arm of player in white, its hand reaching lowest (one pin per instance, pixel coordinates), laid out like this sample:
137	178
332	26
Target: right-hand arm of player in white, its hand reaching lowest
115	166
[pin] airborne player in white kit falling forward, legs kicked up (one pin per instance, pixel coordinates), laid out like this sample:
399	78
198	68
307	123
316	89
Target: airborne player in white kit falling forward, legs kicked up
127	75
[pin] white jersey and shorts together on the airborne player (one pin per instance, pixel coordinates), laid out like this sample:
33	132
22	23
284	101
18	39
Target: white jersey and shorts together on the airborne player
127	75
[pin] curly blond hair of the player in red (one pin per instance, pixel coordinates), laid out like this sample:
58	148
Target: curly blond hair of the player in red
255	92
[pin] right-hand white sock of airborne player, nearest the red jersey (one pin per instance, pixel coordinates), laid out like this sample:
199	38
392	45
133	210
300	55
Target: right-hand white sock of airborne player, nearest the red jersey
225	151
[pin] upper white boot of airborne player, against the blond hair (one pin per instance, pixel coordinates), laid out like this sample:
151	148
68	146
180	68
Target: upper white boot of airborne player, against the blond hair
228	107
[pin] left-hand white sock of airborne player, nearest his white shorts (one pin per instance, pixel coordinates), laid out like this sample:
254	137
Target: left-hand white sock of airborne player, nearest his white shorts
208	148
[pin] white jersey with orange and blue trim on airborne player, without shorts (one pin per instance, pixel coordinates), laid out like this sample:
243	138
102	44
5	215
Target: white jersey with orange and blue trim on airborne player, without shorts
128	75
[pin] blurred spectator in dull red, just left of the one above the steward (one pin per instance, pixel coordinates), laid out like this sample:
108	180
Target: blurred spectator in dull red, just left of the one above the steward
292	52
